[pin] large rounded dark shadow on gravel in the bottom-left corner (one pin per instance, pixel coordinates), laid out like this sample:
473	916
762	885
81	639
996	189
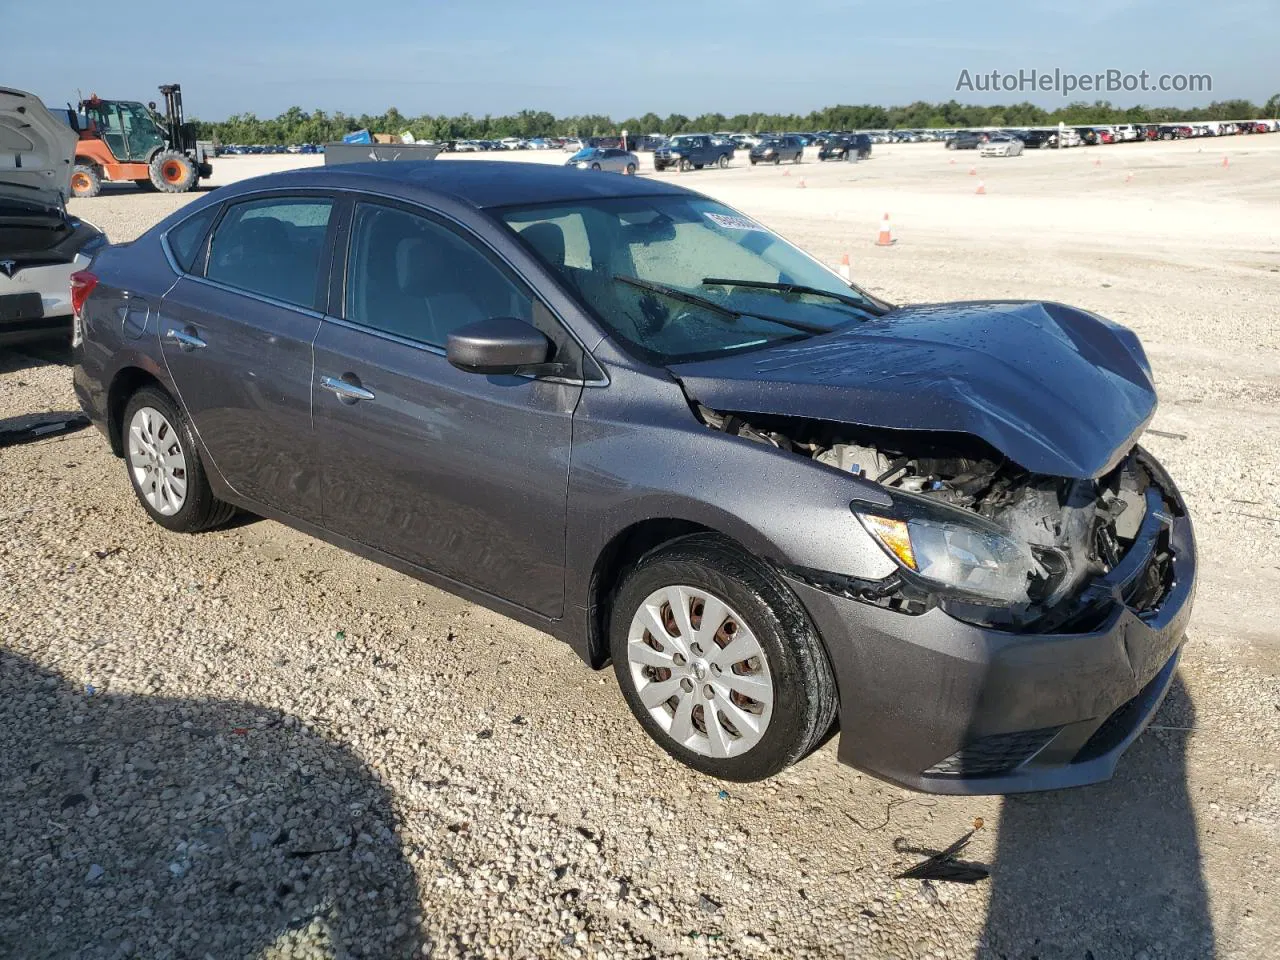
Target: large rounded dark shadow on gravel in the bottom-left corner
148	826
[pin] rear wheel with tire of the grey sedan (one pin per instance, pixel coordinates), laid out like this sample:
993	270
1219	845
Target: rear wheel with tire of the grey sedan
164	465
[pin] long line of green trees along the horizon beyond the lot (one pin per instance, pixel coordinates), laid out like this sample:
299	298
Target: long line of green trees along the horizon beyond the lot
296	126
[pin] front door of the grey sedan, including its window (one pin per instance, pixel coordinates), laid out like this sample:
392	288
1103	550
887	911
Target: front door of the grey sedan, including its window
463	474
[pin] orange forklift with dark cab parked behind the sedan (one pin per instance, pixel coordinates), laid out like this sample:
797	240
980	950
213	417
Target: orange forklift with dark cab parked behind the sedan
124	140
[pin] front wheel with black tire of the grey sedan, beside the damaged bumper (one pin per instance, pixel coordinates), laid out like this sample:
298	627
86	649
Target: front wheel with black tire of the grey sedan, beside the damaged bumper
719	661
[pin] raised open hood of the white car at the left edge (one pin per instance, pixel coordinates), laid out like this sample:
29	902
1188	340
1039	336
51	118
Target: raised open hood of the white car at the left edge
38	152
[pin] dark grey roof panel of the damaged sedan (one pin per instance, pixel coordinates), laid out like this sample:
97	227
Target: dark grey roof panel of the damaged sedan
479	184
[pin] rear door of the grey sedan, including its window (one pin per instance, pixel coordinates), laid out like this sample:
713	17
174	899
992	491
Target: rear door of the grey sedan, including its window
237	337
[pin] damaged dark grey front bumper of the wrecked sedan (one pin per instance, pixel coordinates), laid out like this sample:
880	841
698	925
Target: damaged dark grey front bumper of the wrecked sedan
936	705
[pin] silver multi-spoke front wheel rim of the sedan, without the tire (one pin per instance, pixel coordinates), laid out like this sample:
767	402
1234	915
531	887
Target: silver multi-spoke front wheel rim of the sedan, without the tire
701	671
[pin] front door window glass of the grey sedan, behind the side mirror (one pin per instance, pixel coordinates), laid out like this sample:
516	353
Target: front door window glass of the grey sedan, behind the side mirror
415	278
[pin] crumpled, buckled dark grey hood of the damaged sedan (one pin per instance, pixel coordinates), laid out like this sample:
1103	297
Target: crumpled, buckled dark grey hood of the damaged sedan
1054	388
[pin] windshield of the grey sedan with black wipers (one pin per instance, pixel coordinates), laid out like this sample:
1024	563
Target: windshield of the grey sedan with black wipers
674	245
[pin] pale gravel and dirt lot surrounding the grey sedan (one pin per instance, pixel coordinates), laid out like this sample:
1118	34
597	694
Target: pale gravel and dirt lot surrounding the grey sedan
252	744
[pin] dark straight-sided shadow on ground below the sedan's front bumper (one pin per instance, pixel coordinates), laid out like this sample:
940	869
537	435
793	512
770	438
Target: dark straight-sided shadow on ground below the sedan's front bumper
1108	872
